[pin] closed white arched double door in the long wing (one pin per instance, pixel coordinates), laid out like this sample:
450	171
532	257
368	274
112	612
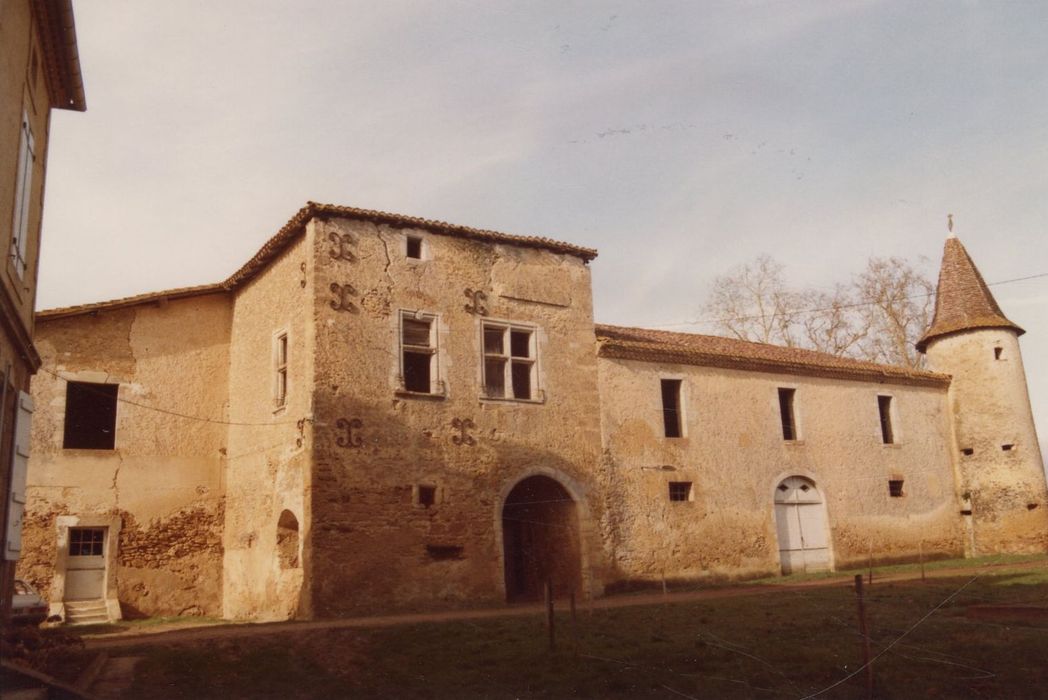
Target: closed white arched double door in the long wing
801	523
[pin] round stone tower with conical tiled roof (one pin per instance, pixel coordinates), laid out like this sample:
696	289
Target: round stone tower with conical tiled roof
1001	477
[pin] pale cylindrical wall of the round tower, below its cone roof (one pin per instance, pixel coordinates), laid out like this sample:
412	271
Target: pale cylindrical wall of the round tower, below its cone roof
992	408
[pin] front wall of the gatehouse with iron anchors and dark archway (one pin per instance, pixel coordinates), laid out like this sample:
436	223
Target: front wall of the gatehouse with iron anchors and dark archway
373	545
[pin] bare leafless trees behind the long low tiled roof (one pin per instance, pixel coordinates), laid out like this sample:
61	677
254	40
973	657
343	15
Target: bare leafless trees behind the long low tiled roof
879	316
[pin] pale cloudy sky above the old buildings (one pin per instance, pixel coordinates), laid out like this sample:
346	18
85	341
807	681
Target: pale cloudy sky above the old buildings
679	139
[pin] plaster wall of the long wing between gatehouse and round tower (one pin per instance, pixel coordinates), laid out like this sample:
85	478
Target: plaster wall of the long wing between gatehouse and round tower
734	454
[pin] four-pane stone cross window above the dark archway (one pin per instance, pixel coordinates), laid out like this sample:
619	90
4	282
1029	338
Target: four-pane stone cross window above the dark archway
510	362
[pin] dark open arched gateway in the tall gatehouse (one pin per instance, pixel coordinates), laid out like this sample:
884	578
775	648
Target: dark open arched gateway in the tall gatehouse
540	540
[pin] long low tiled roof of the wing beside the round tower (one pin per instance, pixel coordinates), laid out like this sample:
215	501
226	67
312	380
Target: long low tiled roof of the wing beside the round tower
647	345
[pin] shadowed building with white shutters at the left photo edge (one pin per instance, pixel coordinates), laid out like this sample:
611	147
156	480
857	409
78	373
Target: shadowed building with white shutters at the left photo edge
39	72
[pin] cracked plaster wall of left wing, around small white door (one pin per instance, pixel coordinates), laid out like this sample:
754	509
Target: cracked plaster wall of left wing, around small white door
164	479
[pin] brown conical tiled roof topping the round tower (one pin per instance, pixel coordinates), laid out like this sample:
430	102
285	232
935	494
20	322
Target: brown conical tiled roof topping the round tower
963	301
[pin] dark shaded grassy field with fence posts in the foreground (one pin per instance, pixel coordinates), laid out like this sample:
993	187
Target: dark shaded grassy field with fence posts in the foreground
780	644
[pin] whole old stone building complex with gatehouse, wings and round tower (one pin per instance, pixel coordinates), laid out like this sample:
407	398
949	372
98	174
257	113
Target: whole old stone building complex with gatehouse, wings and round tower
380	412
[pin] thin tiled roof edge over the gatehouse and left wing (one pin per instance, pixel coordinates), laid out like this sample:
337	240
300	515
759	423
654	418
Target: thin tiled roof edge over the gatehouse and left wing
296	226
